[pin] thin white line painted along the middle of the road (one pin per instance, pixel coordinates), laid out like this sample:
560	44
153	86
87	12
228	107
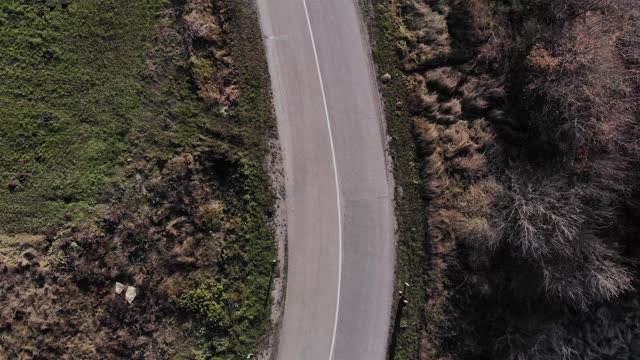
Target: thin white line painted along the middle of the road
335	172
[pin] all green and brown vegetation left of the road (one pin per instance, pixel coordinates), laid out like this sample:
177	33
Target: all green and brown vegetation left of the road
133	143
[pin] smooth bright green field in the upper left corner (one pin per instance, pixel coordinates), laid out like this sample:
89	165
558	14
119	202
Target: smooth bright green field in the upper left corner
71	95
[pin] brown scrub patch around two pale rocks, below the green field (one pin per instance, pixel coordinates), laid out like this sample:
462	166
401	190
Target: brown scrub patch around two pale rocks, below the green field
158	239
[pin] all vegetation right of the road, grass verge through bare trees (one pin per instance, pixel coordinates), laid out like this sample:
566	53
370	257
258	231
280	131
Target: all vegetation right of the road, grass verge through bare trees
524	116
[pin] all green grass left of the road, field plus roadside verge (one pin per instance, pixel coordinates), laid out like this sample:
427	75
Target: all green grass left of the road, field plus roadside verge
88	89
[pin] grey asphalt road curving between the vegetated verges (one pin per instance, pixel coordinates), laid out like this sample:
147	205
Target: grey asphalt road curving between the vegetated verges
339	194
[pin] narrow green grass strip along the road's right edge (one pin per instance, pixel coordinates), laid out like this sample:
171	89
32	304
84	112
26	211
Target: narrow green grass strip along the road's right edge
413	246
